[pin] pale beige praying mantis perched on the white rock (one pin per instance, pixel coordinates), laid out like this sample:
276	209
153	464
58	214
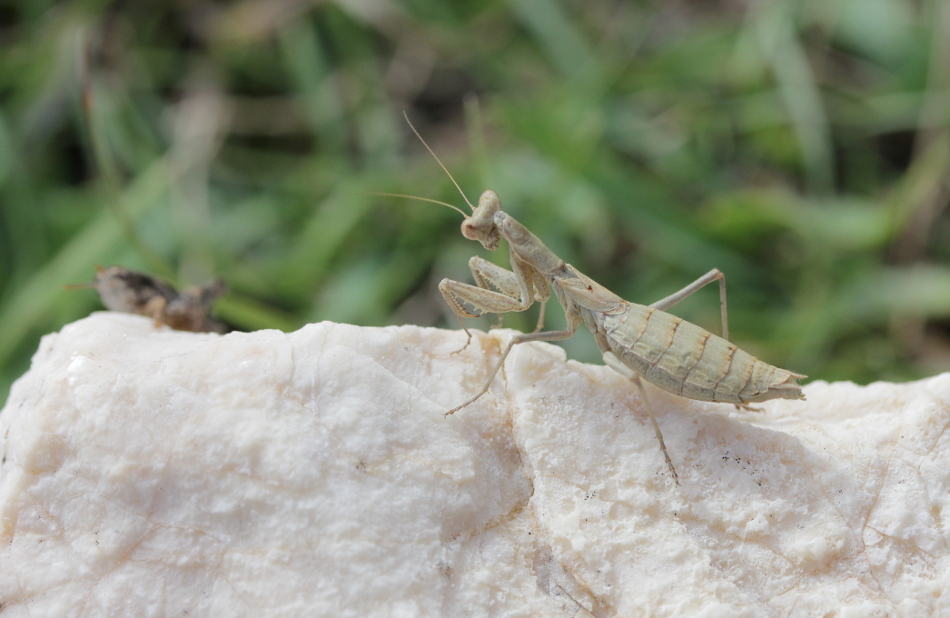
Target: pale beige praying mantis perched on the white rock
641	342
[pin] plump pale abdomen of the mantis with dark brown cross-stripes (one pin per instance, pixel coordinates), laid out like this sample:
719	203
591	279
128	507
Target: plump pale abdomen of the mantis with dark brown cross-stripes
686	360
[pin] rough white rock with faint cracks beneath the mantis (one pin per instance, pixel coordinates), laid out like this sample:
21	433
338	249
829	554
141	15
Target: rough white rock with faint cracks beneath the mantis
149	472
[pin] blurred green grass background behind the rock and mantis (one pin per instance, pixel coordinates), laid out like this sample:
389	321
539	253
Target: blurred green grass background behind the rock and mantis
801	147
